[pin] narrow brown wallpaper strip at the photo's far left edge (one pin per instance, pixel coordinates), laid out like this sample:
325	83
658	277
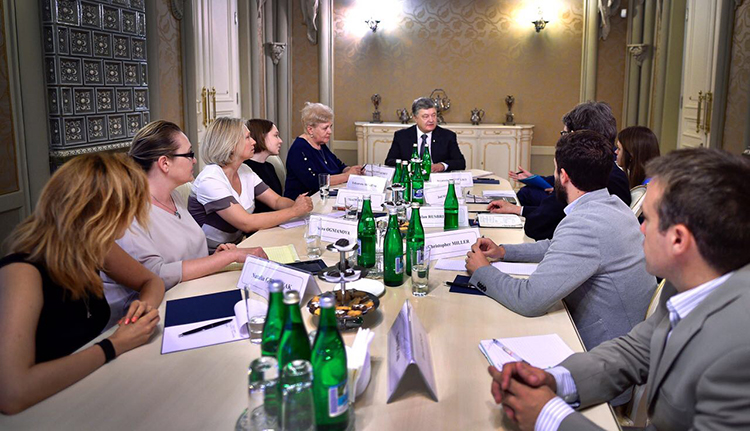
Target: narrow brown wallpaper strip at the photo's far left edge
8	169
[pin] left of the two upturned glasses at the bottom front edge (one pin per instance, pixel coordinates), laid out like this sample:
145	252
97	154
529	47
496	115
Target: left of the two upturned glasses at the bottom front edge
263	393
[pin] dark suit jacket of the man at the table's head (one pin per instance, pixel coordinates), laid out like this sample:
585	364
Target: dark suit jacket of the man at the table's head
444	148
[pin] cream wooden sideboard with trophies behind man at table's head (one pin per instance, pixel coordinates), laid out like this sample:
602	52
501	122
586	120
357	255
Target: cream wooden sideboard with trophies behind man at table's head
492	147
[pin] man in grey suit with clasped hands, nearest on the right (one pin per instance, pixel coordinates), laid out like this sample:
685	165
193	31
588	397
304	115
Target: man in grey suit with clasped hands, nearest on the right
694	351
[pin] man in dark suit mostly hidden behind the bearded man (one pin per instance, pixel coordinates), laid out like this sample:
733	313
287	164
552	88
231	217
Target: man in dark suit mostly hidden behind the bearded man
541	208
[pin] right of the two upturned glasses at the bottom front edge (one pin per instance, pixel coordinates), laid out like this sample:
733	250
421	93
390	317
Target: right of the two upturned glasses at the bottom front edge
297	412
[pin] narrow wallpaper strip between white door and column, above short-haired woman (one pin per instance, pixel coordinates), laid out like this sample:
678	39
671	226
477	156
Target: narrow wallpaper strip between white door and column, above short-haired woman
304	69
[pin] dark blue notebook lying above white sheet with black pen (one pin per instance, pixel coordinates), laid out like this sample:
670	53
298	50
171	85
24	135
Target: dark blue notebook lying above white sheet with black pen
200	308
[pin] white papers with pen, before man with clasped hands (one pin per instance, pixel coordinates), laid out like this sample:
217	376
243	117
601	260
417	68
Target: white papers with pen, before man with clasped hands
541	351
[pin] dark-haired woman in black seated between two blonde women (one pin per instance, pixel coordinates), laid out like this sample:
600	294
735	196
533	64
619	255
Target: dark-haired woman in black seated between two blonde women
267	143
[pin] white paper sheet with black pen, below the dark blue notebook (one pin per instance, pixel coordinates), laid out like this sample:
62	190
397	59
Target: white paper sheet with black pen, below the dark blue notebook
231	331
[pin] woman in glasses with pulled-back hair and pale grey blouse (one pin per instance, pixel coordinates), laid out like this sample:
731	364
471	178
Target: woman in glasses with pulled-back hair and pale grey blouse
172	245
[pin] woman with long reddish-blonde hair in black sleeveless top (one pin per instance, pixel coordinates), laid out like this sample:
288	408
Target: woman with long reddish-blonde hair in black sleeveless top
51	297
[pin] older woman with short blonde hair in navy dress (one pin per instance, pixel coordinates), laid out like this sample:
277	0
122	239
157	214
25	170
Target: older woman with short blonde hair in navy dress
310	156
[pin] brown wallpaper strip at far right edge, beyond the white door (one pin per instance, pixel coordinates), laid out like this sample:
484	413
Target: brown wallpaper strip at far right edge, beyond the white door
739	82
